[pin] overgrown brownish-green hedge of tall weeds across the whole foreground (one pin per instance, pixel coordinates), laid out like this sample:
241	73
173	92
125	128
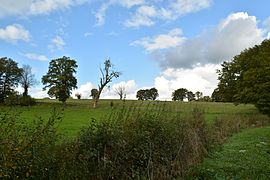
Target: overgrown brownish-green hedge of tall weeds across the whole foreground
130	143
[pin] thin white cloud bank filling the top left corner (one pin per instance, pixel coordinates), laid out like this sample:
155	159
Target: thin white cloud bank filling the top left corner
34	7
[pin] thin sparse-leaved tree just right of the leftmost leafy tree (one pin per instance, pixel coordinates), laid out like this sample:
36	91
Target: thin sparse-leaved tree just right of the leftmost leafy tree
27	79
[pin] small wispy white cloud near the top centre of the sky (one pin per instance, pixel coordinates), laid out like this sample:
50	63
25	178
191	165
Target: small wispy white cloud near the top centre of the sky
142	17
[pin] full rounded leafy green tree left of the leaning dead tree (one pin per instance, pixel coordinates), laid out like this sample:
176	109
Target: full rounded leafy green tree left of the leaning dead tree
60	79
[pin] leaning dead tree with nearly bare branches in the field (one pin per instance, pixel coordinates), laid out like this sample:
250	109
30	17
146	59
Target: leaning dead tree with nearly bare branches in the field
107	74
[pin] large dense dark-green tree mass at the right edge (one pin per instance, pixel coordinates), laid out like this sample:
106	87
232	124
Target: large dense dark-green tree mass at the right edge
246	79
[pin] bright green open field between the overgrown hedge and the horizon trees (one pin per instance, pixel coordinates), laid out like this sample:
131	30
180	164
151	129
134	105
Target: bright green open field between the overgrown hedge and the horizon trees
79	113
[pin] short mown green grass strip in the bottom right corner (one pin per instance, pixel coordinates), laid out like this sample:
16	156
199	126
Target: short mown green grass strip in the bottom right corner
245	156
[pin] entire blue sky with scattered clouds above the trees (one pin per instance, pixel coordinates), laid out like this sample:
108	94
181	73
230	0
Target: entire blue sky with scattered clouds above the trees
166	44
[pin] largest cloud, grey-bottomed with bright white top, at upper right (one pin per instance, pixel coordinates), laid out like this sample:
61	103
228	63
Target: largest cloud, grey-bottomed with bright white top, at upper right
235	33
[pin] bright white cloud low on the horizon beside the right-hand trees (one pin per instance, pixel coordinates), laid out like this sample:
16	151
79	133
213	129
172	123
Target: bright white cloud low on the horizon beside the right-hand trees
203	79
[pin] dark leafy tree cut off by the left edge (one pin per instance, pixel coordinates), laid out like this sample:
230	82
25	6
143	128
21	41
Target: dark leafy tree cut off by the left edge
10	75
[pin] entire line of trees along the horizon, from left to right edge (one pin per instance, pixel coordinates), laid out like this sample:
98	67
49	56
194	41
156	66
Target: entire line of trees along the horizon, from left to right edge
244	79
